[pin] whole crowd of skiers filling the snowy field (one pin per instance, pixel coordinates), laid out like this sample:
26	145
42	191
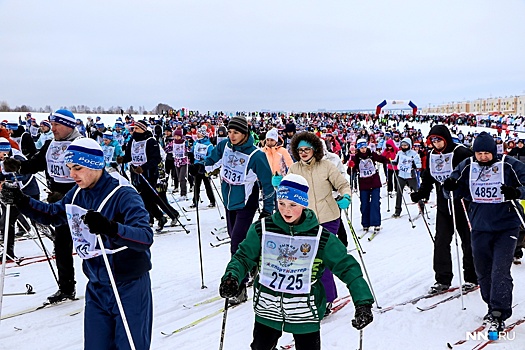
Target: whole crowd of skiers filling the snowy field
286	183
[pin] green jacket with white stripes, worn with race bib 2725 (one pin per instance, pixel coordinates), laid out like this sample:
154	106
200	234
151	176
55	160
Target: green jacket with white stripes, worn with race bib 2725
292	312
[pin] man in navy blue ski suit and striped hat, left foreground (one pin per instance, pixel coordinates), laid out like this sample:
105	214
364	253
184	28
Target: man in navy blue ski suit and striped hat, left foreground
117	213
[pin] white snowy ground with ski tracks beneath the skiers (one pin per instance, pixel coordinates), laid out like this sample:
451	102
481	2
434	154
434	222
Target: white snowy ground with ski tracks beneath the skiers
399	262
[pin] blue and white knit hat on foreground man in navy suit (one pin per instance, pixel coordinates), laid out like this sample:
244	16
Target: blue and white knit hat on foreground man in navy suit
85	152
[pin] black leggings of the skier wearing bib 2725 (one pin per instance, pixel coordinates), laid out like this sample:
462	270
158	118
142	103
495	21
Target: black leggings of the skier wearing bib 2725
265	338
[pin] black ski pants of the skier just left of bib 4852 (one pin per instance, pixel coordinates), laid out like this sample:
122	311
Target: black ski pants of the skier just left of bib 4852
444	239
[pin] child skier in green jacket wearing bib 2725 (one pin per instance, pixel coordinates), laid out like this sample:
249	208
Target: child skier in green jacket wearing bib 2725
292	251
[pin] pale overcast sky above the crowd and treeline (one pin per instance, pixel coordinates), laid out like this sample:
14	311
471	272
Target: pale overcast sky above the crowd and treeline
258	54
